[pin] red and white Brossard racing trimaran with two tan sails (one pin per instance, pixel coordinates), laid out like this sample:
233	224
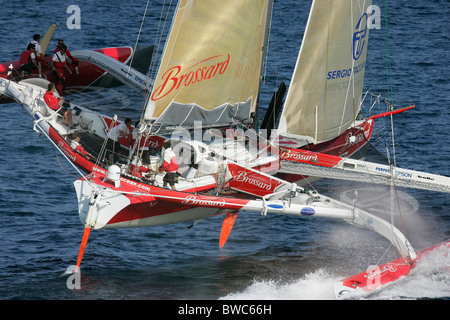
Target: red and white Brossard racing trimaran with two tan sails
203	100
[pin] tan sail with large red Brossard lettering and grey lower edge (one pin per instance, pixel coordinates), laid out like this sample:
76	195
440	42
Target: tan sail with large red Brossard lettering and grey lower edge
211	64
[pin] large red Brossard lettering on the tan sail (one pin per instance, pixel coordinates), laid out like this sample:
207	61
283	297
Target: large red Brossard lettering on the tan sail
174	78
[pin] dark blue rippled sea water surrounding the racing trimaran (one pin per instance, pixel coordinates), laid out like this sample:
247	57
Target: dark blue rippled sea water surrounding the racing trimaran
266	257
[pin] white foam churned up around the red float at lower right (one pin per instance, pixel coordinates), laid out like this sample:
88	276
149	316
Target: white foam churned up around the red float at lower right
429	280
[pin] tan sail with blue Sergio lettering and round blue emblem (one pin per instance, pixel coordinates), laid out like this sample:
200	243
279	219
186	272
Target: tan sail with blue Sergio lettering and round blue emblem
325	91
